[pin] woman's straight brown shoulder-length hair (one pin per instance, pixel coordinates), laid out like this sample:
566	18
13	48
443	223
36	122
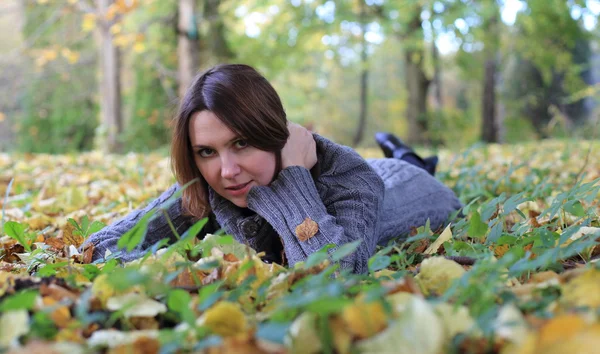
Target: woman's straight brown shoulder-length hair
246	103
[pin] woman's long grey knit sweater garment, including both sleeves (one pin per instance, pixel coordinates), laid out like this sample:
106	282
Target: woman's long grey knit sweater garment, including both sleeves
349	198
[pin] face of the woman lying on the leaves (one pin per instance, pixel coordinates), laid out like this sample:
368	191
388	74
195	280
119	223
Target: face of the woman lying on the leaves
228	164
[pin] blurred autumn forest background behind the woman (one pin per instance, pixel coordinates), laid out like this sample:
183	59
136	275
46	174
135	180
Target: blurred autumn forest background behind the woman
83	74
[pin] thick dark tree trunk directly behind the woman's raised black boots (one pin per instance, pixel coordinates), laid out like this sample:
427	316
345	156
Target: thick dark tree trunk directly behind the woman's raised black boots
417	82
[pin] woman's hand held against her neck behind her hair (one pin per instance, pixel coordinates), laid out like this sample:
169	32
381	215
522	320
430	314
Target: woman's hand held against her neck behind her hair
300	149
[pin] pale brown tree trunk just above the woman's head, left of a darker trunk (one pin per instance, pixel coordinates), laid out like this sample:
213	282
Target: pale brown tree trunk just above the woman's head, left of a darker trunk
187	45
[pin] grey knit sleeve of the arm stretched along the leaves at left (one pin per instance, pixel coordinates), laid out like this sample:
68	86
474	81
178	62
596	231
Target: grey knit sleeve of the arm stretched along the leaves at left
158	227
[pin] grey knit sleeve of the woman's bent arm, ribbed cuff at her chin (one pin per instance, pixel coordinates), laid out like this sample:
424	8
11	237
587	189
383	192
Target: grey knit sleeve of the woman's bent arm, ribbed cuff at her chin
348	211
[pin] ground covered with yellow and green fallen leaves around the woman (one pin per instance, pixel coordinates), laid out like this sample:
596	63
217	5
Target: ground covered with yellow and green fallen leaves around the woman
518	274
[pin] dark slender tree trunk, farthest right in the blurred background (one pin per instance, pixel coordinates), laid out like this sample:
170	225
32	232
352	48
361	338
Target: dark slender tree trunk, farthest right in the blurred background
490	124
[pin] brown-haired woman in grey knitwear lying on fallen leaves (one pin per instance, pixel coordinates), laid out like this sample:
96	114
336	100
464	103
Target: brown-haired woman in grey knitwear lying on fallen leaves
263	180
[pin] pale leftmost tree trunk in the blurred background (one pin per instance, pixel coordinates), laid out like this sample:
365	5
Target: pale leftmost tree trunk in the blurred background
110	83
